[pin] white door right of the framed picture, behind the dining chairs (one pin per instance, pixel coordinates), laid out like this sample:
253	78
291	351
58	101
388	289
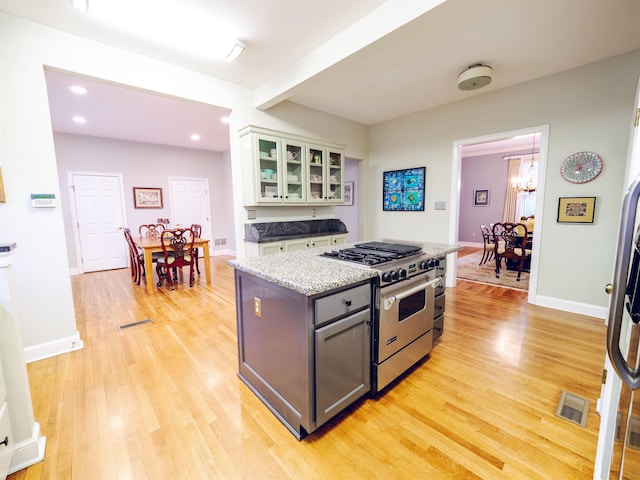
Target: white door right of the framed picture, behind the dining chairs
190	203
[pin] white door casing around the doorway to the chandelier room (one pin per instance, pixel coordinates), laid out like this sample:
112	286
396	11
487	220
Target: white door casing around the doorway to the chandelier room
457	194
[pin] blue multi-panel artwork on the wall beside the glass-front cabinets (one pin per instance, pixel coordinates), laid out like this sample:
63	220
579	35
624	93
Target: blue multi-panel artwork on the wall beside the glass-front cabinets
403	190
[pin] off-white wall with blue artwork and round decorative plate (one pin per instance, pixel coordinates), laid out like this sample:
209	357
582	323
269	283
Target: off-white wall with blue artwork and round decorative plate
589	108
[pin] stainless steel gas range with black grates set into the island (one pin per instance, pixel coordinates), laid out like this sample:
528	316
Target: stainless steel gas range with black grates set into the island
409	296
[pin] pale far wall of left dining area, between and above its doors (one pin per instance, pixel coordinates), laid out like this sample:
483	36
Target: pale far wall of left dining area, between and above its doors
144	165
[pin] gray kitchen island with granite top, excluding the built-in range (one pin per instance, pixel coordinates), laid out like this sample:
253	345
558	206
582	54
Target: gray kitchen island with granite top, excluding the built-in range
304	332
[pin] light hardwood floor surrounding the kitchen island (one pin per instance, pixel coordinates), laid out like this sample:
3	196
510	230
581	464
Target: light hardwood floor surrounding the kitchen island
162	400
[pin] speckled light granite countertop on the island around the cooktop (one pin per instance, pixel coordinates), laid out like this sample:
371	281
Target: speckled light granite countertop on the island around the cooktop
308	273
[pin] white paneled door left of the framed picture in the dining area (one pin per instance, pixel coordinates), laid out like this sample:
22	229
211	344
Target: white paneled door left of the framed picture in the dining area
99	220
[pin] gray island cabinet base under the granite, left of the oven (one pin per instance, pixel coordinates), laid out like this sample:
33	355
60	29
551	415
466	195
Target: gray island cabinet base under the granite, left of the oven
305	357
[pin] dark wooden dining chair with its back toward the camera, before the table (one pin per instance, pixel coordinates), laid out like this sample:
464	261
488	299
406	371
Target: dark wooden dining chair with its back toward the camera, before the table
177	250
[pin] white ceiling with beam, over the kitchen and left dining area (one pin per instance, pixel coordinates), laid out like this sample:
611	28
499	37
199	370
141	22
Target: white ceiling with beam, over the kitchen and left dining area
368	61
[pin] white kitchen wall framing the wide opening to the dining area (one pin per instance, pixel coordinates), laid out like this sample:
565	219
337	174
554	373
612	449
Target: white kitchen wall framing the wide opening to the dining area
28	162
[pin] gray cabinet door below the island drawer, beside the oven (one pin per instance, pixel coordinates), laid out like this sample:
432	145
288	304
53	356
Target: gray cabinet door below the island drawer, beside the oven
343	371
